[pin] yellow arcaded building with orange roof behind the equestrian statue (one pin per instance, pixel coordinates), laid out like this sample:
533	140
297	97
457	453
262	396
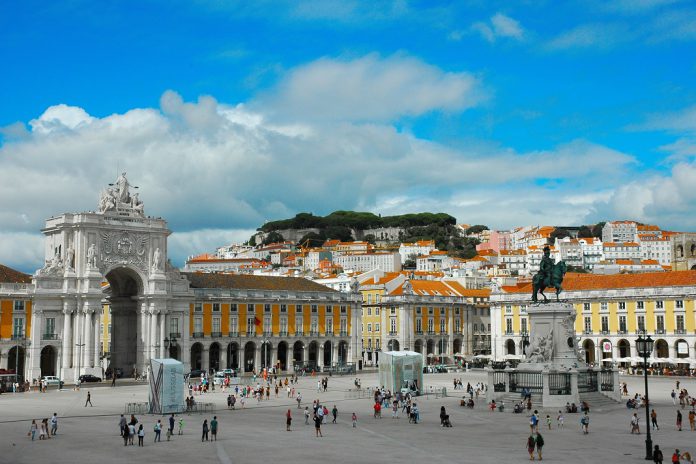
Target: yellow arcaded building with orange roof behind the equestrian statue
612	310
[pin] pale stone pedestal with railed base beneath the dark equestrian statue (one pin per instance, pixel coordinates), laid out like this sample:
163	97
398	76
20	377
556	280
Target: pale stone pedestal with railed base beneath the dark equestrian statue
553	371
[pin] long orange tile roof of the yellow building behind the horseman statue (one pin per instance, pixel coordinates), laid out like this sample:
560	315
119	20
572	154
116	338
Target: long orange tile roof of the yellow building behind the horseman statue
576	282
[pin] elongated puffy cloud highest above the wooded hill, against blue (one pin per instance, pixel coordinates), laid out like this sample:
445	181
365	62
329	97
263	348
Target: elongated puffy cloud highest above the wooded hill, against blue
370	88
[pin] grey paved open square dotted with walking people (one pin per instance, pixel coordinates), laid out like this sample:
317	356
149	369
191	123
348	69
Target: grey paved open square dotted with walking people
257	433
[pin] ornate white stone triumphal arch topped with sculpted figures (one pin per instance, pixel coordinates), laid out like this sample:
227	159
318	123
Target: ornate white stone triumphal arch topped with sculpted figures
116	258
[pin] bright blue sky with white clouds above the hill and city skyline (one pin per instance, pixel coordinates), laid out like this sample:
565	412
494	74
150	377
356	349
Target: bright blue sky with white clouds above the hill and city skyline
231	113
